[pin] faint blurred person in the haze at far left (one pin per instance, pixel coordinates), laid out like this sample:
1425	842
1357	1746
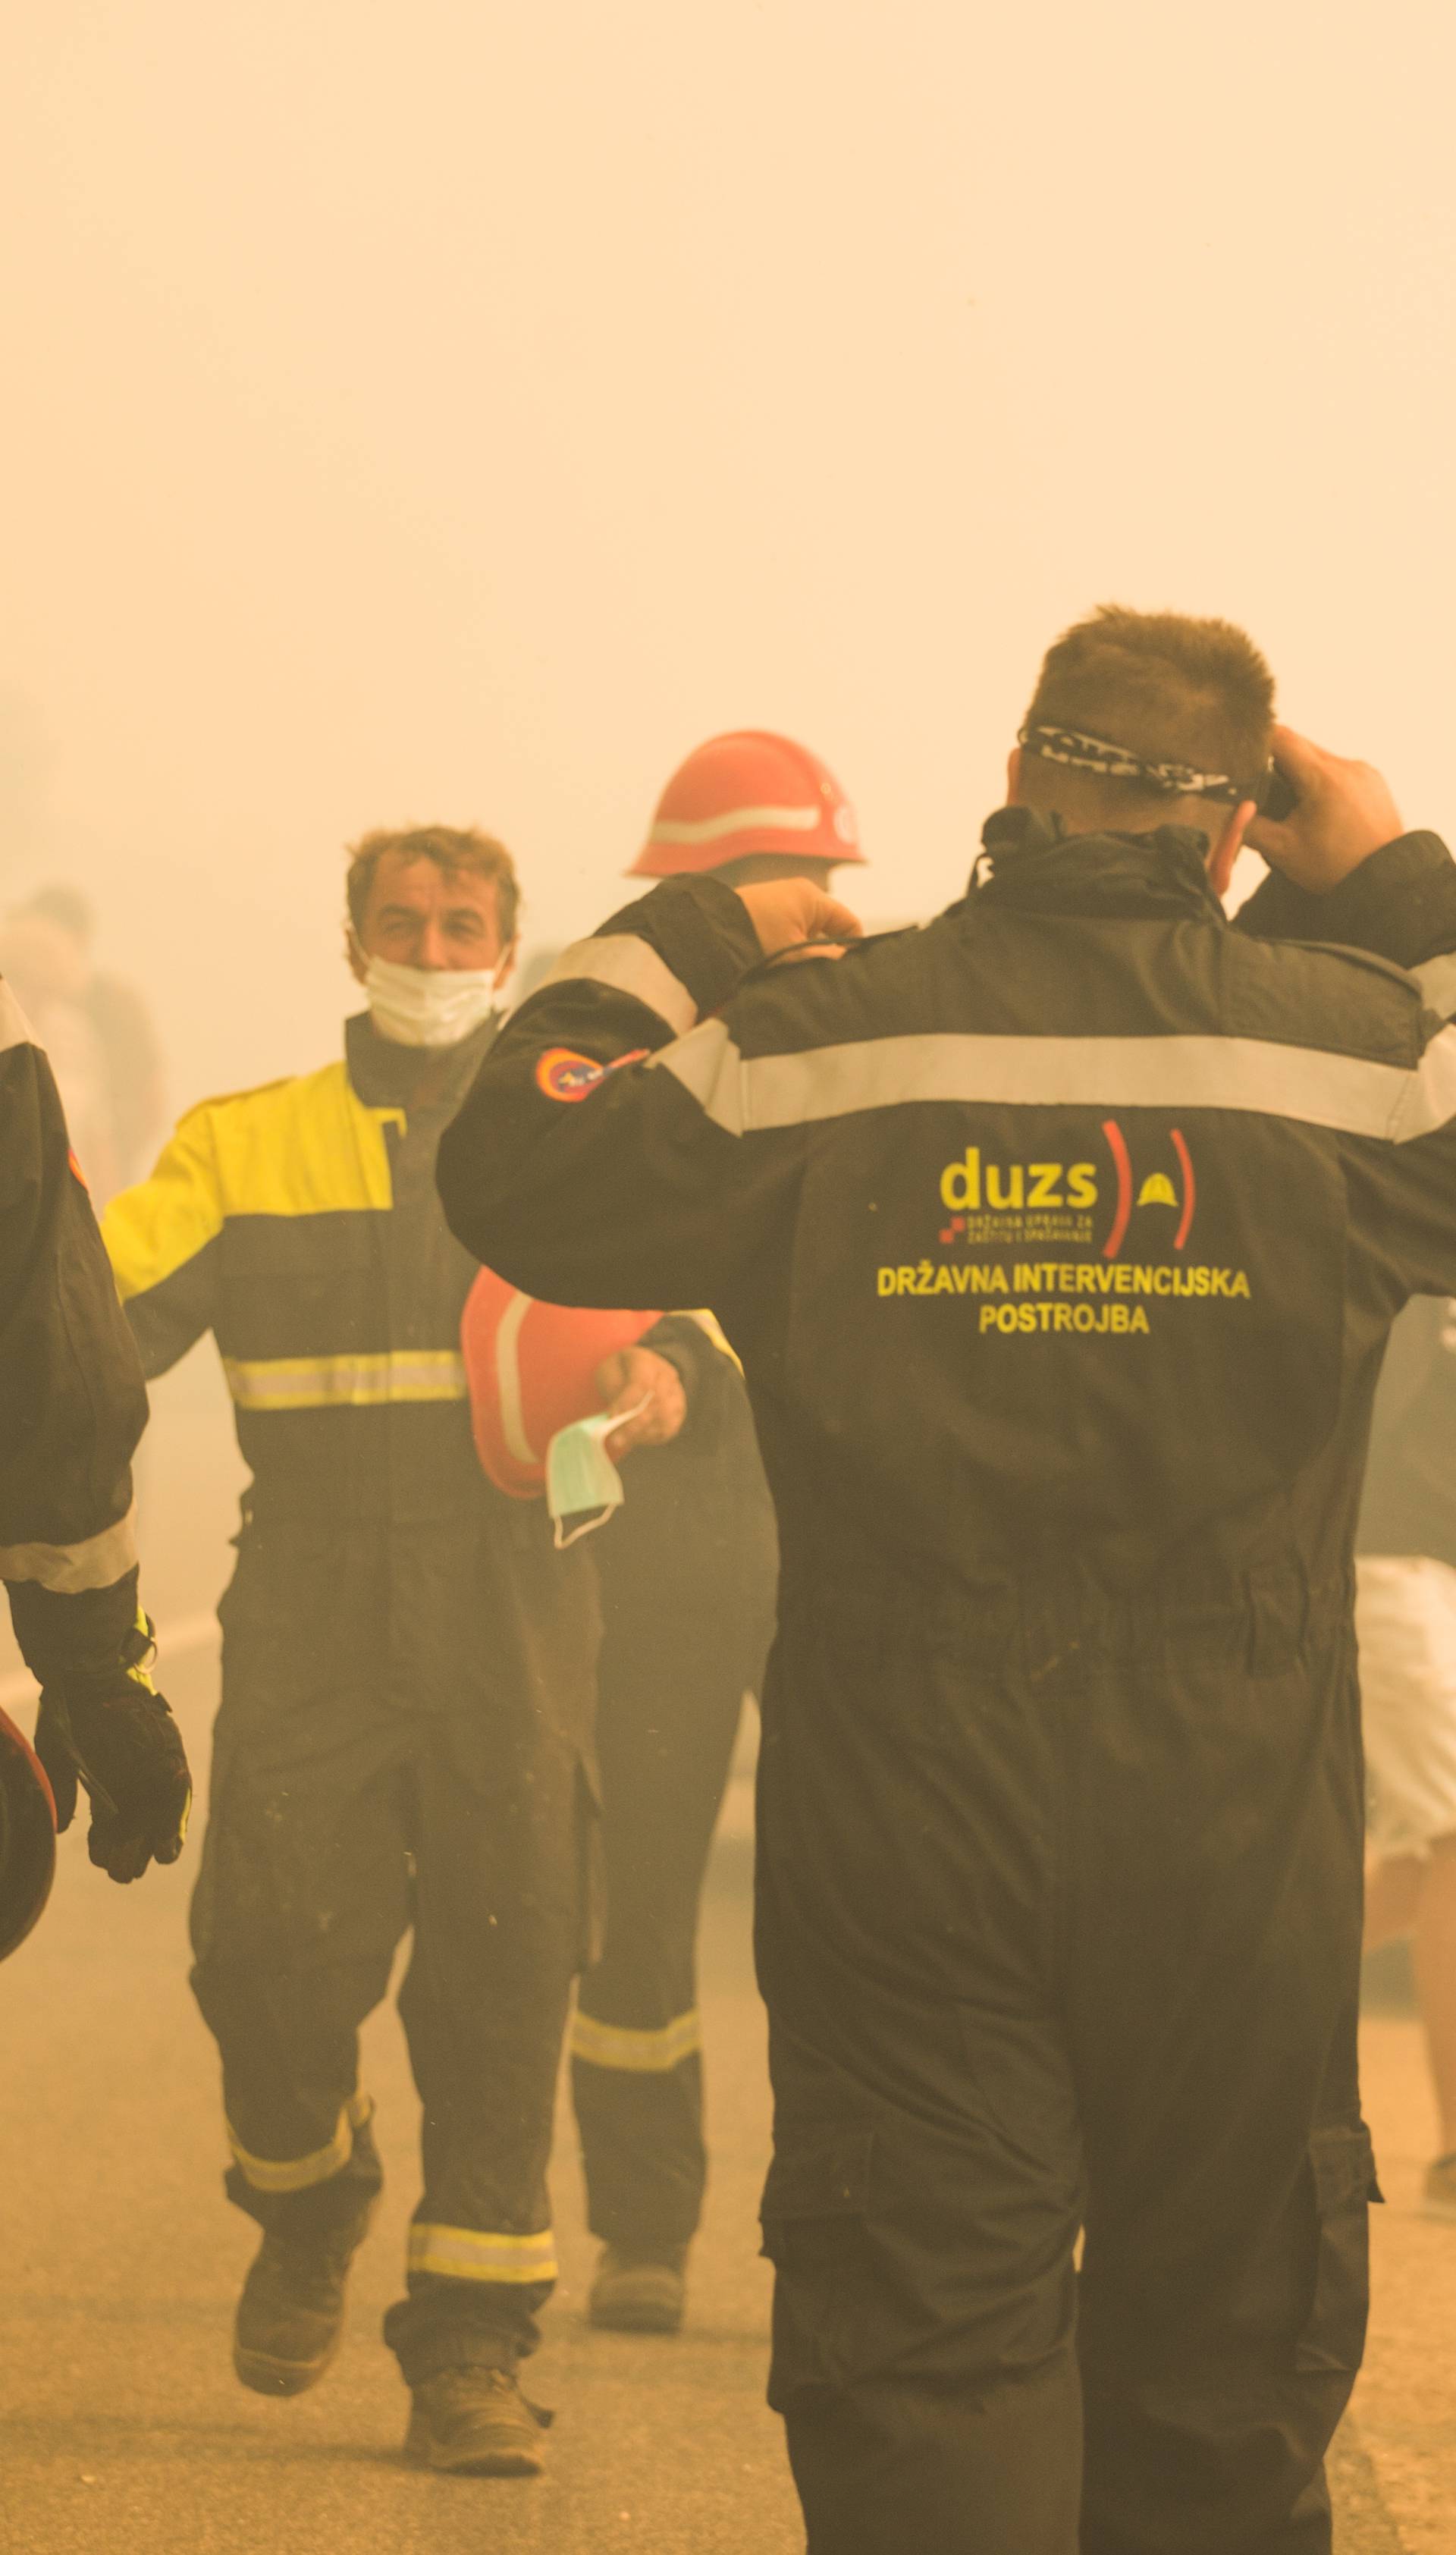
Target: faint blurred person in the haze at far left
109	1056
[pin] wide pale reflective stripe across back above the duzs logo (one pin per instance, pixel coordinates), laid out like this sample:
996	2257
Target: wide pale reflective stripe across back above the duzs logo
1350	1095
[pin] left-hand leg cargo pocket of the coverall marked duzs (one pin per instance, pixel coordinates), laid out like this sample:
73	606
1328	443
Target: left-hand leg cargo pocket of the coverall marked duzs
814	2216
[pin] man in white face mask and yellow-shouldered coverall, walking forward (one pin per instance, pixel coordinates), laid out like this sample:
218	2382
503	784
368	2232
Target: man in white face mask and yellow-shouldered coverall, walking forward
407	1677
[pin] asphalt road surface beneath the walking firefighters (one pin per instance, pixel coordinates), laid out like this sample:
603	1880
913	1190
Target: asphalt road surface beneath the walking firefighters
121	2423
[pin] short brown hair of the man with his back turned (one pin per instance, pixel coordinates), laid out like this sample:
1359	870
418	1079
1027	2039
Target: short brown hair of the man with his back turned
1169	689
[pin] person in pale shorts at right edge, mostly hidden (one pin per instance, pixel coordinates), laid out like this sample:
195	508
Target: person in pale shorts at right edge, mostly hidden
1406	1621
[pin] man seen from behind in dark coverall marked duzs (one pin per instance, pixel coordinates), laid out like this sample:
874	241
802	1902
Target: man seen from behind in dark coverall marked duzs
1061	1243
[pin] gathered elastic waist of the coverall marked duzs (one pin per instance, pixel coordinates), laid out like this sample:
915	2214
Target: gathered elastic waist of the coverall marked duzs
1263	1619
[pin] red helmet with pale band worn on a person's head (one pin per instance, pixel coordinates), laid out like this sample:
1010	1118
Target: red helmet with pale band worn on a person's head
747	793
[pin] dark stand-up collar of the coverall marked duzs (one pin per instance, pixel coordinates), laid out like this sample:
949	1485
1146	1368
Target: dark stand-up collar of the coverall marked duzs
1036	862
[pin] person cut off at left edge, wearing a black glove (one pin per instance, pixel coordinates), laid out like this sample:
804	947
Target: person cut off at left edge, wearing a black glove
73	1407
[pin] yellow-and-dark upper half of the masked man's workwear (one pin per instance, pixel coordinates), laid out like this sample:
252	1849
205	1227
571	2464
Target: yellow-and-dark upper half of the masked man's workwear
300	1228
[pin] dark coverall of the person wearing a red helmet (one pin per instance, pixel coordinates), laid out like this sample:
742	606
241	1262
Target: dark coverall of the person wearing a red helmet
688	1573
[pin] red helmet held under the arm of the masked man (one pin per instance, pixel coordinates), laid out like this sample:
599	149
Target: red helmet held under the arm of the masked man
533	1368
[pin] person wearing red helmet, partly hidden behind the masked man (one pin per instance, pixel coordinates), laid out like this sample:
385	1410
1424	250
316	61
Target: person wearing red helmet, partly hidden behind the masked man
688	1575
